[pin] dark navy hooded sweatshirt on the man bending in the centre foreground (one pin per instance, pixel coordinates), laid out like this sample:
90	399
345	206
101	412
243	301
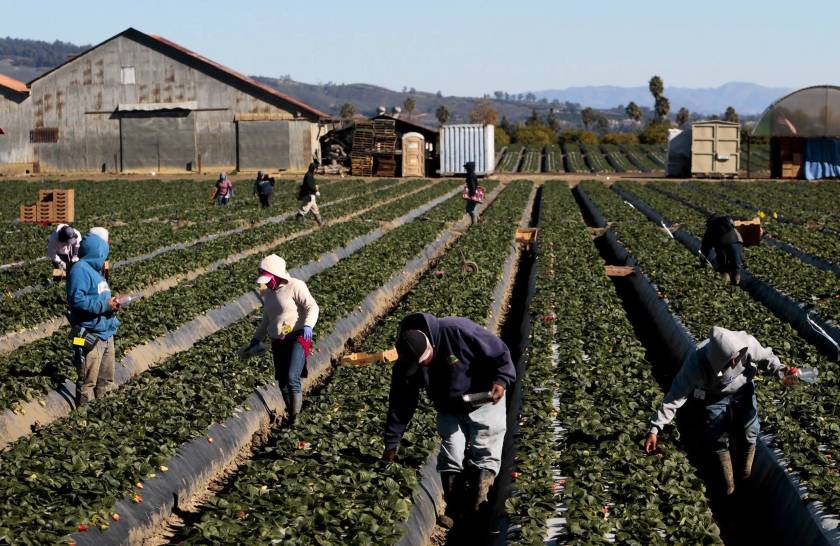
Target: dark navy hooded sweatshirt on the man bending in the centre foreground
467	359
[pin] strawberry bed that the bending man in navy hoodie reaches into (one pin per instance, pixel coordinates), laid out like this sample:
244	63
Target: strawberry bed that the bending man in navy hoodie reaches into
363	500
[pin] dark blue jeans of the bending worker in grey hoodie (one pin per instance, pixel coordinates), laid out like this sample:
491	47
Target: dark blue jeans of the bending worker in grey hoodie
738	411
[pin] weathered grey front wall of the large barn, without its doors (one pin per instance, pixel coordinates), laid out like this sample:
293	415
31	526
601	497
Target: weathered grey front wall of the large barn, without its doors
81	99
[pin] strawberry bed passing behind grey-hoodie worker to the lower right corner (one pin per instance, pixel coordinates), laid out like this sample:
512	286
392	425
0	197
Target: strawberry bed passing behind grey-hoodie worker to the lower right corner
801	421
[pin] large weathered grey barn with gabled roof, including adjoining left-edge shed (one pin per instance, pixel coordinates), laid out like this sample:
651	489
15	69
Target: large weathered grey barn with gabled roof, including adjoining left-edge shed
140	103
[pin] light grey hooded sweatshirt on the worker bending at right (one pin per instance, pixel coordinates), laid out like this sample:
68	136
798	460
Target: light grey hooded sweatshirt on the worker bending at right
706	375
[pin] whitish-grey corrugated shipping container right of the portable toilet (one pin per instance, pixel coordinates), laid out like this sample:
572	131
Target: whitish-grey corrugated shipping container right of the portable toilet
467	142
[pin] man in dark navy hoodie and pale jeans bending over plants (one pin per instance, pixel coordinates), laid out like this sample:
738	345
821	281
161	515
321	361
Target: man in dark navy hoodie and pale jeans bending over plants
449	358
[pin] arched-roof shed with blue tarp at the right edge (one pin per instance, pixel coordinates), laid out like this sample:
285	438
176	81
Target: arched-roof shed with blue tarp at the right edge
804	132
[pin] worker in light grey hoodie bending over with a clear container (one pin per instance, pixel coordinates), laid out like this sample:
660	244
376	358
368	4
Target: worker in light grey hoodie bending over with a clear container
719	376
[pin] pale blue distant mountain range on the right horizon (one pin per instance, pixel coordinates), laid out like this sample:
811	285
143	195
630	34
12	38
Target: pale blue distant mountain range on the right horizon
746	98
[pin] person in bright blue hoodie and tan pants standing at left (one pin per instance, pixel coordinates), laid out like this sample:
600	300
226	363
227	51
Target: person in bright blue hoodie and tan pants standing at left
92	318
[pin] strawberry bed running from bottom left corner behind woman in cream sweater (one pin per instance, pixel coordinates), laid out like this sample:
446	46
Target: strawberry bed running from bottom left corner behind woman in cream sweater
125	439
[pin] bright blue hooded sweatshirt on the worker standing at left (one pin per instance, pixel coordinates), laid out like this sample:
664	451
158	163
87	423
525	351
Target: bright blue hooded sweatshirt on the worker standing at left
88	291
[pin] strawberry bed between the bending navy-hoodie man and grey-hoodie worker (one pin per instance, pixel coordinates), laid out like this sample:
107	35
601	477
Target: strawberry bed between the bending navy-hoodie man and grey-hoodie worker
581	475
